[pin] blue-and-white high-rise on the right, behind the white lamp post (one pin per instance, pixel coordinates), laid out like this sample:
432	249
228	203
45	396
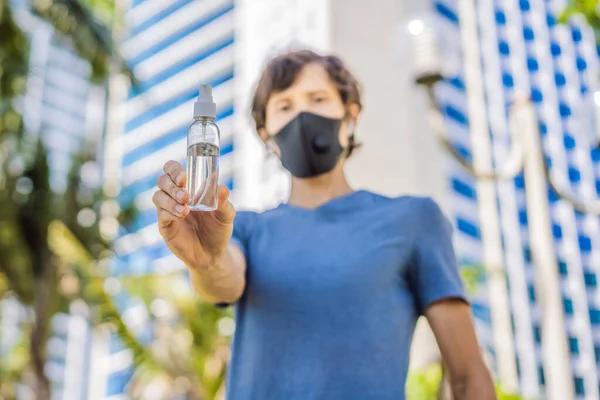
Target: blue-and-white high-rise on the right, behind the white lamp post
523	48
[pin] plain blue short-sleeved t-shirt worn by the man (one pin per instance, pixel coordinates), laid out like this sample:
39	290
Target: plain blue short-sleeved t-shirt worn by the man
333	294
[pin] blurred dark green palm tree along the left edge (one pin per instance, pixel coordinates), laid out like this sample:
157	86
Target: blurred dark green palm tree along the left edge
31	270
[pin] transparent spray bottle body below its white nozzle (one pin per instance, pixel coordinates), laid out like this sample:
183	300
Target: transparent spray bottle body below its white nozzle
203	151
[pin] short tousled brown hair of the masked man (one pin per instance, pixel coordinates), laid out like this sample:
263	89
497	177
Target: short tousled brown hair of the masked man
281	72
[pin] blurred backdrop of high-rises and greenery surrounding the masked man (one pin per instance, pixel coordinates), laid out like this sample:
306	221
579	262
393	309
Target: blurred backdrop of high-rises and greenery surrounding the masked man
492	107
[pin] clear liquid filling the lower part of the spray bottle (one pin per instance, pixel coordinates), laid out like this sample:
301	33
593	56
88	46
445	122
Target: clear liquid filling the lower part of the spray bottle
203	176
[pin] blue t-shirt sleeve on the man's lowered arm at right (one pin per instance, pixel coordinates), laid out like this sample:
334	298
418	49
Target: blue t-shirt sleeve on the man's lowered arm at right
433	272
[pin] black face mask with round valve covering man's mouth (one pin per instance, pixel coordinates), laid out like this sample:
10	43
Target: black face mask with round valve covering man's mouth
310	145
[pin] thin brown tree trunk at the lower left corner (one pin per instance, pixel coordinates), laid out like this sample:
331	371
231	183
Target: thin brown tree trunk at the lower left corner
38	339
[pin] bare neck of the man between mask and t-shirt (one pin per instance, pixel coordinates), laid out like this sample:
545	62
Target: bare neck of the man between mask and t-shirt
313	192
